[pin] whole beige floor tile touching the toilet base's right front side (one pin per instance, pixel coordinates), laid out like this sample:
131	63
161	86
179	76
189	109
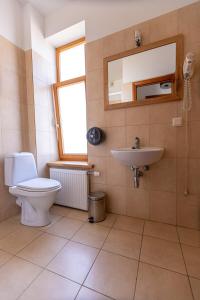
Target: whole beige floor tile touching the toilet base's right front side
65	227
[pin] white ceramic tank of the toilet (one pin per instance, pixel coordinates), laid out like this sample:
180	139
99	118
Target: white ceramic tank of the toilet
19	167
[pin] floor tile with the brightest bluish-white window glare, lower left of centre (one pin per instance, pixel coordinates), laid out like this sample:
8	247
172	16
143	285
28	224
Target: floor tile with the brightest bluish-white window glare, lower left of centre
74	261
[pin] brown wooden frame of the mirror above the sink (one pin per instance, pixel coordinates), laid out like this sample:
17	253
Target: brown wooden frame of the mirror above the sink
177	89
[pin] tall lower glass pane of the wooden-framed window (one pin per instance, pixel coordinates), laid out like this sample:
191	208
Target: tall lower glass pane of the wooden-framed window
72	106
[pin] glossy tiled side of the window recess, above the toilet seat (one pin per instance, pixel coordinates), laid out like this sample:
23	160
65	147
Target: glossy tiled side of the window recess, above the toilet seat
42	130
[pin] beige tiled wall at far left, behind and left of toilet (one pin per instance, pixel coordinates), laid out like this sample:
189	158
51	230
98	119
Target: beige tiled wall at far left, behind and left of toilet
13	114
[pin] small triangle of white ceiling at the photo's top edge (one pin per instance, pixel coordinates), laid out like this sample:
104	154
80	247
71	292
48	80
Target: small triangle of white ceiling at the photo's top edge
45	7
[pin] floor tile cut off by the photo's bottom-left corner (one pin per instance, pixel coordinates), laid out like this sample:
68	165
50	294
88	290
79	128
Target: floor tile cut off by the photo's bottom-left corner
15	277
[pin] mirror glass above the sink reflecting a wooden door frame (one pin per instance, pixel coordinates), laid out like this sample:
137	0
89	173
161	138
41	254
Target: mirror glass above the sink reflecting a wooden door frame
142	76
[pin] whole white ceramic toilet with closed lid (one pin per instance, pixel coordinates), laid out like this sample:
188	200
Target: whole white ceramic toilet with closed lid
34	195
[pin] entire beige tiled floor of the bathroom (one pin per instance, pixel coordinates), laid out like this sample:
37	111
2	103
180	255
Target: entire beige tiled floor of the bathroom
121	258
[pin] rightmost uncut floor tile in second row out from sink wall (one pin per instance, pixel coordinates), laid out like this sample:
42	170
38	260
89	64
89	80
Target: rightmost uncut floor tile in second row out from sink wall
163	254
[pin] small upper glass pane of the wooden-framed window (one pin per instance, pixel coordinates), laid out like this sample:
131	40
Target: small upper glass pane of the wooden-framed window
72	63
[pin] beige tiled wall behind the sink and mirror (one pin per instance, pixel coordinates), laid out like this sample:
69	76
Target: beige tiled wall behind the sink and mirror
160	196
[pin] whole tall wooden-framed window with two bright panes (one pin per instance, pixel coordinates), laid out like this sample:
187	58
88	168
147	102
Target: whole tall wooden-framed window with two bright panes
70	101
